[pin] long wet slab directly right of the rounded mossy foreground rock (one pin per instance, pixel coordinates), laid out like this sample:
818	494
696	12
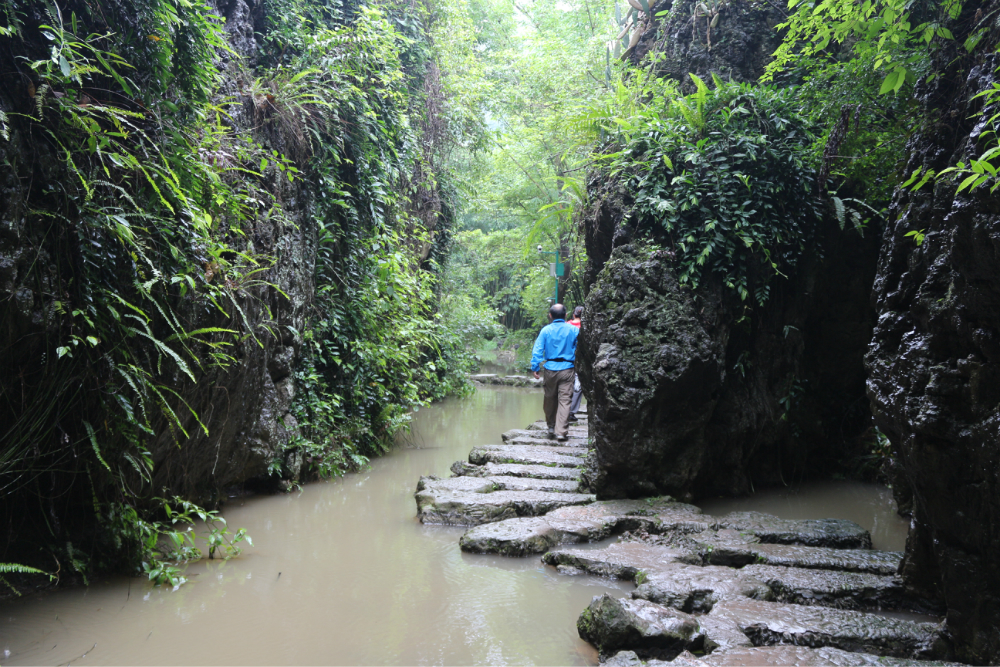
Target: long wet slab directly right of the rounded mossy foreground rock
768	623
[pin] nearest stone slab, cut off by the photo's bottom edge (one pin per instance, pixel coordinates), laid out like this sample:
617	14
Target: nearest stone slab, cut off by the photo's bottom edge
777	656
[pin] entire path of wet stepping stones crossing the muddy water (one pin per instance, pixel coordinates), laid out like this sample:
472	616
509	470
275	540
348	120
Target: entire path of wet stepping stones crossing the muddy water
742	589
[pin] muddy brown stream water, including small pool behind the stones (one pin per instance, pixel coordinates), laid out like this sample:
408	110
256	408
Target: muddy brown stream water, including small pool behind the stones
343	573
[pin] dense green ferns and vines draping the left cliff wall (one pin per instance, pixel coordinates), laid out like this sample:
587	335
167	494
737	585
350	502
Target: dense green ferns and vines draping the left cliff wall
159	169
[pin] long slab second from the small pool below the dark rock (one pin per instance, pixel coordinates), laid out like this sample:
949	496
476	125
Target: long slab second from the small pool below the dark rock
728	547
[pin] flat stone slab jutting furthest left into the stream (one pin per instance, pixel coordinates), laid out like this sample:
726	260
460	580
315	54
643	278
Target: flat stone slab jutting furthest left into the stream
440	505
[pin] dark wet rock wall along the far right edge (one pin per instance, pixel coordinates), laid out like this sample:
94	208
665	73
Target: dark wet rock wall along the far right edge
934	360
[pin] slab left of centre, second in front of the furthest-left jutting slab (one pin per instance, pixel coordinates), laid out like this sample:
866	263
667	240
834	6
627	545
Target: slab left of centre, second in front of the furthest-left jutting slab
622	560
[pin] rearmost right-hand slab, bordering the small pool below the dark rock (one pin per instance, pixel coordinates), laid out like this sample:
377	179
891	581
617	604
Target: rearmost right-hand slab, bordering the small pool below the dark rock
836	533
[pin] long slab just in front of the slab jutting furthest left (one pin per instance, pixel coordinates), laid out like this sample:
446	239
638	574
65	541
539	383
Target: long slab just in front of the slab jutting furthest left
568	525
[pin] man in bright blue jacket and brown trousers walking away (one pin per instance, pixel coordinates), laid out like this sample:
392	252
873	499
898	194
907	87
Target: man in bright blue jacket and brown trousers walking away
556	346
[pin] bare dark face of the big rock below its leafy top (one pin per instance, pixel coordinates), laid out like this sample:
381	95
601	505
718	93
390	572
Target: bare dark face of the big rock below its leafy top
686	398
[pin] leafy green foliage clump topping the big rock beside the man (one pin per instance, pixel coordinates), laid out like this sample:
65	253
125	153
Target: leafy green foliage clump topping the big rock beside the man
726	177
